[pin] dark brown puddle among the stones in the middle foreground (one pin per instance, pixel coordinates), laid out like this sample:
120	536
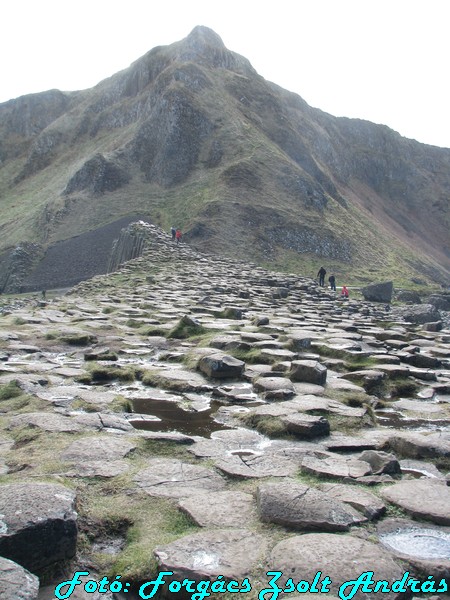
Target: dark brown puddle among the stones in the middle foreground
174	418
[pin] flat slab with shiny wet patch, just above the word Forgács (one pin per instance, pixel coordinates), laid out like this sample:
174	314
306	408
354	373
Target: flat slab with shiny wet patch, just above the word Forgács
233	553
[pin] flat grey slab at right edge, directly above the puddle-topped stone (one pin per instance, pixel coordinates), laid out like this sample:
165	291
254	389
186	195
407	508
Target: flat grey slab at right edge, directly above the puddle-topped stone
427	499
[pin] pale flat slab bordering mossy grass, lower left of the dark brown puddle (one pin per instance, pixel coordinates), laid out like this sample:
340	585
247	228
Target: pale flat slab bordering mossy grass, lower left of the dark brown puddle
98	448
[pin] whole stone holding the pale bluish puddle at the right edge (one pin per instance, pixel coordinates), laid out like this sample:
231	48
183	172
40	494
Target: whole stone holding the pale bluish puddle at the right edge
423	546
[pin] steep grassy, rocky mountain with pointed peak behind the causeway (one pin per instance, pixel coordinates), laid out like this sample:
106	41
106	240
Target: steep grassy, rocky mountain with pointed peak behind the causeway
191	135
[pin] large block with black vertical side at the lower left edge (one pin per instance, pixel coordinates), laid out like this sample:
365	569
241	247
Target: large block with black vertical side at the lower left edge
39	524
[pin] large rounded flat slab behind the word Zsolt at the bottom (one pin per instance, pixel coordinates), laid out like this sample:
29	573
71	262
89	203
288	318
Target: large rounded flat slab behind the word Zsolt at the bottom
340	557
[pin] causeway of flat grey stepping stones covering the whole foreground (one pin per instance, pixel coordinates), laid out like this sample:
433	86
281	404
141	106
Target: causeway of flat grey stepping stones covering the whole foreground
207	417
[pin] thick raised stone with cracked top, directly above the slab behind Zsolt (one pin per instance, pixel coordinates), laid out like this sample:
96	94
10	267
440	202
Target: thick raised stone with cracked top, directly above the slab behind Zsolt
298	506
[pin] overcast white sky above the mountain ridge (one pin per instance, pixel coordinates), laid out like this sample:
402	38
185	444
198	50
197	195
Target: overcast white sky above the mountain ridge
386	61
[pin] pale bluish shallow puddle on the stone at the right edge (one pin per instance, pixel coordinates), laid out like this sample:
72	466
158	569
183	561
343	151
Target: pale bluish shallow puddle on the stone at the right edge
419	543
